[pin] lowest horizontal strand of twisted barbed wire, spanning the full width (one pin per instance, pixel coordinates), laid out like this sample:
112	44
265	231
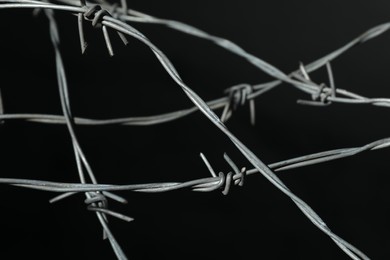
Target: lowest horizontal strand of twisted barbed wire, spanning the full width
293	163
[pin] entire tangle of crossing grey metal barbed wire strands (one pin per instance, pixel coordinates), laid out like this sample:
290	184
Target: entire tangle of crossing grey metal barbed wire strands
107	16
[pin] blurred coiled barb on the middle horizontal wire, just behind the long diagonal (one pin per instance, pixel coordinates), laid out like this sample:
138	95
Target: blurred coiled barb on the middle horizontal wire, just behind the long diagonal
238	96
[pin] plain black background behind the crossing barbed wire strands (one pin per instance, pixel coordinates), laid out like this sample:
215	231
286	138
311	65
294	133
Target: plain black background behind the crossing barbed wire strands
254	221
